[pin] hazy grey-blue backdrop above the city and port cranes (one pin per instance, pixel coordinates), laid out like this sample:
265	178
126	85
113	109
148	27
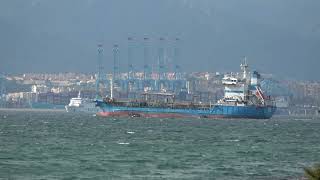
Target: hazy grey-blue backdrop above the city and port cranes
278	36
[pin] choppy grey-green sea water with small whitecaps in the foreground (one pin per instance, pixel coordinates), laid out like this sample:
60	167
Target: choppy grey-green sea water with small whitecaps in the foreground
56	145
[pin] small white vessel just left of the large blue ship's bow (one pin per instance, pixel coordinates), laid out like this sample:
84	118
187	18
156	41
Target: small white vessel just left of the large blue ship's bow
84	105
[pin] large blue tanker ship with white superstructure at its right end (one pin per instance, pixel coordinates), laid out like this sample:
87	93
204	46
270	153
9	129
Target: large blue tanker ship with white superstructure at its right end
243	98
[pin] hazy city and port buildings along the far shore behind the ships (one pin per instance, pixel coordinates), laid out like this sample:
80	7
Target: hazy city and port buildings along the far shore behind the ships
38	90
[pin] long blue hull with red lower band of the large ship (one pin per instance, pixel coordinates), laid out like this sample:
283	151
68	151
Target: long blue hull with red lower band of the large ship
216	111
